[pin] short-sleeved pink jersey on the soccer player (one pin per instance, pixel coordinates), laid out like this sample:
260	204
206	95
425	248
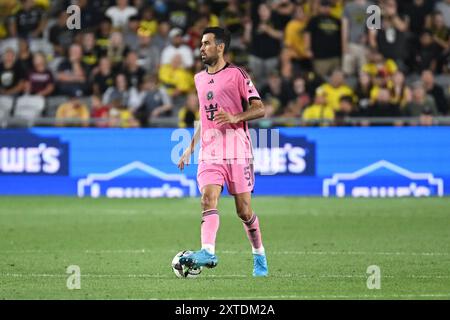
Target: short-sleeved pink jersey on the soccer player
230	89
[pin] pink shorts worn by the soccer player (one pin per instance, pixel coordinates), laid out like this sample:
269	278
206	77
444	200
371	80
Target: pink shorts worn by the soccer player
240	178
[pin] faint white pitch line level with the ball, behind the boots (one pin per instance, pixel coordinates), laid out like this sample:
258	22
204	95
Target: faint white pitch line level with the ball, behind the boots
149	251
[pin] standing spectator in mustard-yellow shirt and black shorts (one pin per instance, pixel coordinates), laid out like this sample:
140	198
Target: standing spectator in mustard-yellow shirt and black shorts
294	59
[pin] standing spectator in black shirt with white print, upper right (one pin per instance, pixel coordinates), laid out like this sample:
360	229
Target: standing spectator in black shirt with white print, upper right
391	39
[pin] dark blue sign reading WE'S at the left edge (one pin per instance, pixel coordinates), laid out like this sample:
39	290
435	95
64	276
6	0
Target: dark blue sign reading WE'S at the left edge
23	153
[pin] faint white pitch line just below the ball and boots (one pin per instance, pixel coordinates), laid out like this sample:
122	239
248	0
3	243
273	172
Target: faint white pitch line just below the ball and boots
224	276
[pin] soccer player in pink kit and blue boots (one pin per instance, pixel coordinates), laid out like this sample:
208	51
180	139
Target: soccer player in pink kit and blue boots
227	101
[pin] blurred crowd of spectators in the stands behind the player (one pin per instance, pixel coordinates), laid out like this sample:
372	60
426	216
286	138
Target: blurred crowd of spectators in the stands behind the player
314	62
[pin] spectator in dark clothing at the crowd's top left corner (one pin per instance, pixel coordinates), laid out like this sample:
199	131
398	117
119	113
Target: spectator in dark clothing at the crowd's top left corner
29	22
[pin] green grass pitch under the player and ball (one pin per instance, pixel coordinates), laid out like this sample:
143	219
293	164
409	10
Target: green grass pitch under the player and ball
317	248
